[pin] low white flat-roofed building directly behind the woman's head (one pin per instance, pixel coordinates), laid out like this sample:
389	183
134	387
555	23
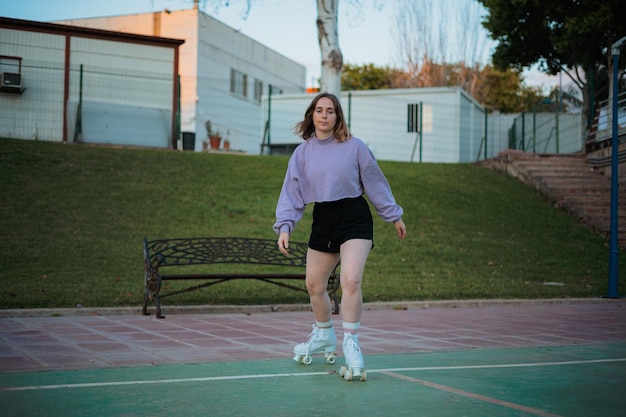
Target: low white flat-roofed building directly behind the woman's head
452	123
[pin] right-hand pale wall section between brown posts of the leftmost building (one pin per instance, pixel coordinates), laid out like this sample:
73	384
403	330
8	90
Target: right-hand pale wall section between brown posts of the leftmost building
127	92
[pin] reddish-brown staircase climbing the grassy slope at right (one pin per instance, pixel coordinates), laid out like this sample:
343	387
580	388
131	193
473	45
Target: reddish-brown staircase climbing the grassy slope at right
571	183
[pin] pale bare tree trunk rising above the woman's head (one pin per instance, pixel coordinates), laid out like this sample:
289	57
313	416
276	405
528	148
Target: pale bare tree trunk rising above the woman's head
332	59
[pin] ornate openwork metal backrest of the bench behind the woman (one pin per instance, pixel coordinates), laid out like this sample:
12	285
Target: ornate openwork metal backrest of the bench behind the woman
202	251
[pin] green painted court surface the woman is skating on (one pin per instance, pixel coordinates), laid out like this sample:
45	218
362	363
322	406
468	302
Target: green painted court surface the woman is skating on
576	380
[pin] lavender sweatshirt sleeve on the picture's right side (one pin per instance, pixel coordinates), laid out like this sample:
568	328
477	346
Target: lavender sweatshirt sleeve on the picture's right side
377	187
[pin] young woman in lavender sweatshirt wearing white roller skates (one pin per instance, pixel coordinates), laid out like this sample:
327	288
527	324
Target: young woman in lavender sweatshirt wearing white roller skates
333	170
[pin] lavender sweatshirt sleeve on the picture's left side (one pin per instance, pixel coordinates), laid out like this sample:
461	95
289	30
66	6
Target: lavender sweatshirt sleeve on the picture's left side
290	206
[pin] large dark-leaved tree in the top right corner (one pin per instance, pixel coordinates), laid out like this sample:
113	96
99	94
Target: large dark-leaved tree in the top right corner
561	35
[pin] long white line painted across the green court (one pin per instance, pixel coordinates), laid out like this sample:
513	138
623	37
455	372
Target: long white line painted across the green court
284	375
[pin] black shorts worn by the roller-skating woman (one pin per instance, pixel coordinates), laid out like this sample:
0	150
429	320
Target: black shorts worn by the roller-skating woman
336	222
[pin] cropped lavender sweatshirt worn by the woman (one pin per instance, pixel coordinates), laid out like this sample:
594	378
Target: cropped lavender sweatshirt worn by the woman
327	170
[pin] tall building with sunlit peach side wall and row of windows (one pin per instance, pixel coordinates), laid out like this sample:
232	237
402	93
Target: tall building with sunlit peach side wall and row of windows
223	73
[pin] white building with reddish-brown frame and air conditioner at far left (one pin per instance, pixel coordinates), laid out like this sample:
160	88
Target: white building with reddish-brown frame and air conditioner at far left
62	83
